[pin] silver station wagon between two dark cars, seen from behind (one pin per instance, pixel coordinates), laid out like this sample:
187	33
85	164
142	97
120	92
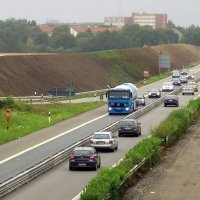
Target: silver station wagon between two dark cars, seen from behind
104	140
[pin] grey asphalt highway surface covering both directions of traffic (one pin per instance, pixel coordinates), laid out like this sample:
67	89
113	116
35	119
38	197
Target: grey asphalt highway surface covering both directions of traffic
60	183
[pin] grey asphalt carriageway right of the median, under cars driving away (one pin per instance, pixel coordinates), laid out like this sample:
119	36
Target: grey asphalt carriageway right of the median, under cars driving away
68	184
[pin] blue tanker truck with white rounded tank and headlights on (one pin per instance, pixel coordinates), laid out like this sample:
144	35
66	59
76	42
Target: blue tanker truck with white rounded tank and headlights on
122	99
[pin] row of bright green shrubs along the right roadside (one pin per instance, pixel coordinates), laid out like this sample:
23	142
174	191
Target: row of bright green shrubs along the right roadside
108	180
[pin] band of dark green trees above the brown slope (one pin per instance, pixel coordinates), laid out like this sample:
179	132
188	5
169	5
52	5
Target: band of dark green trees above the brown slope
26	36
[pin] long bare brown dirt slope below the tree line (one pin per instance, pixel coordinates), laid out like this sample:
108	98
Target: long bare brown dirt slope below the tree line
26	74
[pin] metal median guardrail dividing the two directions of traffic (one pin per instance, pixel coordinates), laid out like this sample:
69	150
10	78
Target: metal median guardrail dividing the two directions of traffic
40	168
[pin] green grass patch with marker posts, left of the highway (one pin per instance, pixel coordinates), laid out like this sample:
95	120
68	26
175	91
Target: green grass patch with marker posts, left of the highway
26	118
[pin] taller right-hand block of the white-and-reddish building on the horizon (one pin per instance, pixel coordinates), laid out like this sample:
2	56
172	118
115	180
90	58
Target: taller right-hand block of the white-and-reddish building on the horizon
153	20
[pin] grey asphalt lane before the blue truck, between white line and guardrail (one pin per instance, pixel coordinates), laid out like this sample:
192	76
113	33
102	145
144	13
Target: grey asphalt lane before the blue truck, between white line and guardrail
28	159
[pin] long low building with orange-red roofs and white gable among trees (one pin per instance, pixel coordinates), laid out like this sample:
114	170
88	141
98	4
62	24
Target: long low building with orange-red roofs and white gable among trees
96	29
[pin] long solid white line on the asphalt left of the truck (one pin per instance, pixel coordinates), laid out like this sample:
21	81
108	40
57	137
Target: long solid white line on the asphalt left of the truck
53	138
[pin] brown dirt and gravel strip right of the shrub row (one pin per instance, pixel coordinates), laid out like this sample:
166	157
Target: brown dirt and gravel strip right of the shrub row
177	177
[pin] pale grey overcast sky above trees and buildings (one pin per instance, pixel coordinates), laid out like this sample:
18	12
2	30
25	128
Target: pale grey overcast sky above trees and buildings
182	12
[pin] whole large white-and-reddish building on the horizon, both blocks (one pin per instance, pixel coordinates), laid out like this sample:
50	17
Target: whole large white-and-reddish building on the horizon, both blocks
143	19
